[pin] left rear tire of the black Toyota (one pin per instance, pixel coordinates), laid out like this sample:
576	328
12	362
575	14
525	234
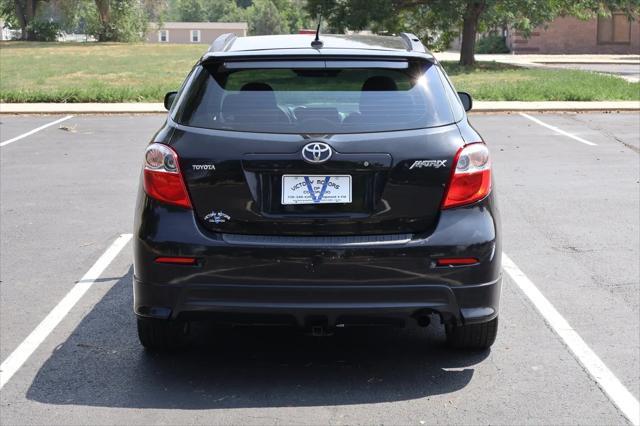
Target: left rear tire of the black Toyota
161	335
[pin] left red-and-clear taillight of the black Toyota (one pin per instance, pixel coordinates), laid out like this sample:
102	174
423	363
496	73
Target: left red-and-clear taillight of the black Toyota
162	178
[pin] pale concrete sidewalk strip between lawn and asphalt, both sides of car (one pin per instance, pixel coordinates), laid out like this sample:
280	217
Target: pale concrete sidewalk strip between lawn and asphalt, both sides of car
478	106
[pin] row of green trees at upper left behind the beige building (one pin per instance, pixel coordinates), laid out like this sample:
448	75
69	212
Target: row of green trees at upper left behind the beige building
125	20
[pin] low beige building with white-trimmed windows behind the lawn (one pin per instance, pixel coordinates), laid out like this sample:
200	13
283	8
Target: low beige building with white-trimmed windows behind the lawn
192	32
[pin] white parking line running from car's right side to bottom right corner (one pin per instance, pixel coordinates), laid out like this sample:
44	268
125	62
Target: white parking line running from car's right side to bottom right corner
608	382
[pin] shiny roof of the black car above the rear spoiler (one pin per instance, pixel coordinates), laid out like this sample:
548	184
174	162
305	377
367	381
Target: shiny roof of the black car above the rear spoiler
229	45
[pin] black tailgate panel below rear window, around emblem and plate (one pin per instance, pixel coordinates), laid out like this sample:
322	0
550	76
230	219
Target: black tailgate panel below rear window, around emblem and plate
246	181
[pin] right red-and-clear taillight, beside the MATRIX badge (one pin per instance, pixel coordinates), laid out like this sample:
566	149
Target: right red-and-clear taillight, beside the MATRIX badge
471	177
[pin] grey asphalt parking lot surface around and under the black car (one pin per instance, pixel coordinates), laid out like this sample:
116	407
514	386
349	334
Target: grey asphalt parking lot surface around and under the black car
571	225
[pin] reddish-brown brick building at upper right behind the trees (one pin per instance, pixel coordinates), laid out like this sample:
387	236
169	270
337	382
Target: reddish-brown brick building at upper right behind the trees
614	34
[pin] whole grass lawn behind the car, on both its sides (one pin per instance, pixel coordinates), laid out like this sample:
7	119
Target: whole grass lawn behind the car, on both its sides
114	72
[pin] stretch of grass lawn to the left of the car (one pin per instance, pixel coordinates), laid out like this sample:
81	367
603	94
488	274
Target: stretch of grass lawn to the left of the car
75	72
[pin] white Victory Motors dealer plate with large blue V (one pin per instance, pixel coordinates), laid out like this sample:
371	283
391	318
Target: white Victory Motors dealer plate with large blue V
295	189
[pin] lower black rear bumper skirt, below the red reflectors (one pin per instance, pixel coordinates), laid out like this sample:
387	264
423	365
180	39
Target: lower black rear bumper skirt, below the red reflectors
301	305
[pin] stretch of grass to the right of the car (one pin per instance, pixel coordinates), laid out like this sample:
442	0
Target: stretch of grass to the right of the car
491	81
